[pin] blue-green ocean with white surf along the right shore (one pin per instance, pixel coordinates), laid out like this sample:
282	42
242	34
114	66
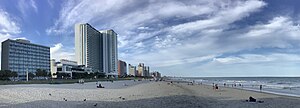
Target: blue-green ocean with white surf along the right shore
289	86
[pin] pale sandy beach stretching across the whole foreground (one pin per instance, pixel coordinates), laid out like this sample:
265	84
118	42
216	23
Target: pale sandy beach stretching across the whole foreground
138	94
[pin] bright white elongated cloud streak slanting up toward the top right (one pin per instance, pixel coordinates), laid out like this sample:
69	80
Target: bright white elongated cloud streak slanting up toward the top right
223	17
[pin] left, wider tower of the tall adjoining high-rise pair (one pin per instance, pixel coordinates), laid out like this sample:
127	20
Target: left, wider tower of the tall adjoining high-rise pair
88	50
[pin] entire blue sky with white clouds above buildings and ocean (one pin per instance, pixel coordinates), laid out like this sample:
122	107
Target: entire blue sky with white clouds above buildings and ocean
192	38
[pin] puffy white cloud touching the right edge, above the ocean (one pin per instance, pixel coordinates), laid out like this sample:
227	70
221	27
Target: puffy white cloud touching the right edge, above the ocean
279	32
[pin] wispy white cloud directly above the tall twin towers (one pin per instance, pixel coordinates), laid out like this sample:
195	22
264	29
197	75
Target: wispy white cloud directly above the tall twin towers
88	10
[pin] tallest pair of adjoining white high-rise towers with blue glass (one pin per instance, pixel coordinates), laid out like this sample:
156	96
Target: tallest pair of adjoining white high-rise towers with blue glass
96	49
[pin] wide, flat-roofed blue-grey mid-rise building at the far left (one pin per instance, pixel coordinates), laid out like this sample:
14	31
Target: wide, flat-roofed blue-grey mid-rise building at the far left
23	57
